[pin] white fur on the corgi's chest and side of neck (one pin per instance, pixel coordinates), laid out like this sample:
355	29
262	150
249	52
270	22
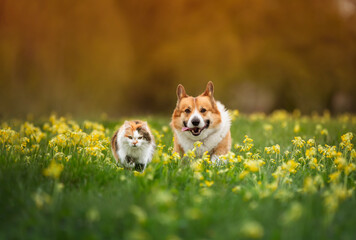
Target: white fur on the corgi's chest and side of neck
210	137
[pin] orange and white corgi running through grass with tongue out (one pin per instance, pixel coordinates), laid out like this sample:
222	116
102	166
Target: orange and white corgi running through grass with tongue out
201	119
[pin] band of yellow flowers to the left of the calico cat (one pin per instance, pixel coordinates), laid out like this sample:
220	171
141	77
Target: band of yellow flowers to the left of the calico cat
64	137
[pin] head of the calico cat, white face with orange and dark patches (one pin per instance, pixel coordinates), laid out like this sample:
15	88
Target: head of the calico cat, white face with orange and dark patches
136	133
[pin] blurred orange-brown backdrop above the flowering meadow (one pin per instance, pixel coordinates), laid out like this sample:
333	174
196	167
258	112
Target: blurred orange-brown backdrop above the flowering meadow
124	57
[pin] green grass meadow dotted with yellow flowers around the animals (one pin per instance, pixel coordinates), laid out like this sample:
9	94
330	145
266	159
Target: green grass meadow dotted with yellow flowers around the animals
58	180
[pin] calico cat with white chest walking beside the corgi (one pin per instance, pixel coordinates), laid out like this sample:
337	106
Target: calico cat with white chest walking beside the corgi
133	145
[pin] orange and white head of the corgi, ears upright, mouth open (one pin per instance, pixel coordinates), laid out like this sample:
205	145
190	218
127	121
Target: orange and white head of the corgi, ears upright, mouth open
195	115
